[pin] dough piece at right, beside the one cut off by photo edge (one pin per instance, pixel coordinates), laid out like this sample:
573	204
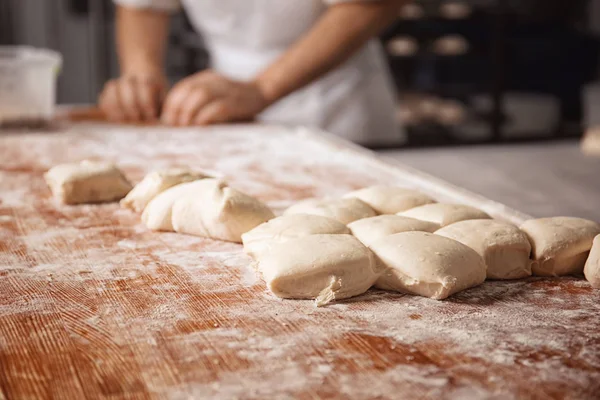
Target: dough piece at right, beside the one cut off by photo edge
560	245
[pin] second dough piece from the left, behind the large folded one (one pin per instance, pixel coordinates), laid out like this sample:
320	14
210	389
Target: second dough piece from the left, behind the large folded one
157	182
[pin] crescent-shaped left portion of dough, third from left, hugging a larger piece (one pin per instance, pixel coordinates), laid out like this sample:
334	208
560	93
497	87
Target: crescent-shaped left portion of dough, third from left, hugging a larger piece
157	214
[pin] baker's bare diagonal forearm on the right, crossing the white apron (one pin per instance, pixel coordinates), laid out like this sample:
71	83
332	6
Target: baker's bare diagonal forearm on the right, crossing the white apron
340	32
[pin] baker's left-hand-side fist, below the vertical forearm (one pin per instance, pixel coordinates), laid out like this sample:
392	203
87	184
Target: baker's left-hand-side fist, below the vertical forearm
133	98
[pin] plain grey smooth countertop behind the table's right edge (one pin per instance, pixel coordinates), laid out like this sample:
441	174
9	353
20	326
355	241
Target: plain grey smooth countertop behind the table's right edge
541	179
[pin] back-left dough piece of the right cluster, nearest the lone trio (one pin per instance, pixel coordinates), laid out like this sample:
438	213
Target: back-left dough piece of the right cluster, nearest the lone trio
343	210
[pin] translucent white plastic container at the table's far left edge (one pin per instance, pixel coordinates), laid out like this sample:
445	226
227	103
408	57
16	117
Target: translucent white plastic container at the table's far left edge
27	85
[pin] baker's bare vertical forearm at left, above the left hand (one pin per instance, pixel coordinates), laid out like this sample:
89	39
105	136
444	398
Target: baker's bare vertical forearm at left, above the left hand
141	40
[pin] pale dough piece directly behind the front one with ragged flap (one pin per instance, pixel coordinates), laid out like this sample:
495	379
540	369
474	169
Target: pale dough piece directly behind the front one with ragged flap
286	227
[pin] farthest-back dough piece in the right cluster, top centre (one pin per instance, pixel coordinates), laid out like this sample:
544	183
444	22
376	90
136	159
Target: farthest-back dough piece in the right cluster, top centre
390	199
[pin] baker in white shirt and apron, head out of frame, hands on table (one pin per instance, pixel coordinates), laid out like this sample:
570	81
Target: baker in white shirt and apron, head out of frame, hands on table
298	62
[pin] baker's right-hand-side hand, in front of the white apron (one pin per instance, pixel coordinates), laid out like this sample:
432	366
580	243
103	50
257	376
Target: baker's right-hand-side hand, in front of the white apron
209	98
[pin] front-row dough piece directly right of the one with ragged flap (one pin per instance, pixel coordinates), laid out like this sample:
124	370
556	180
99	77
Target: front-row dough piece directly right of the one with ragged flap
428	265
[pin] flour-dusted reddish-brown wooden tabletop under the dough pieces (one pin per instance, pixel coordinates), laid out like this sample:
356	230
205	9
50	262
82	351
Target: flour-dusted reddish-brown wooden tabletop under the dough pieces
92	305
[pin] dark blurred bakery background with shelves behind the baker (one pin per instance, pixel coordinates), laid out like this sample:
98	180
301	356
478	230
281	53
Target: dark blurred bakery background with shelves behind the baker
467	71
